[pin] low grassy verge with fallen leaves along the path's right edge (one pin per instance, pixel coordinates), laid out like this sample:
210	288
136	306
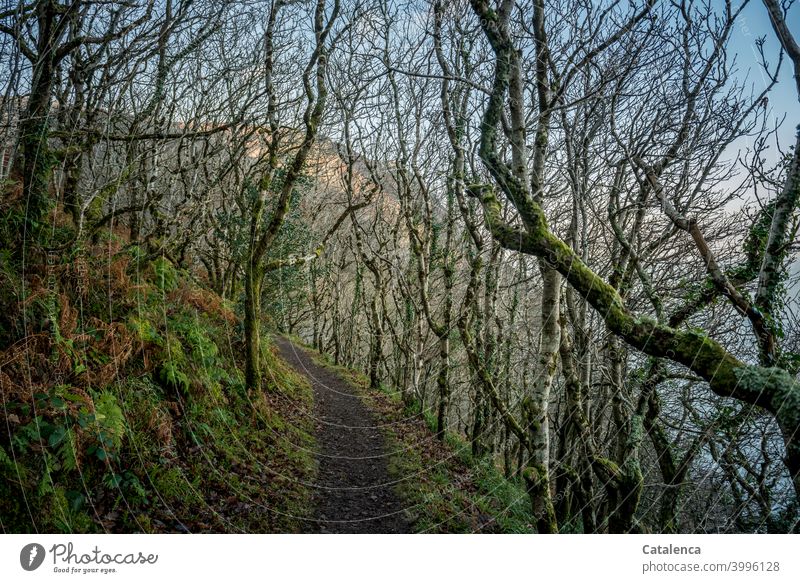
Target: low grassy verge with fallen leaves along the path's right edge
444	488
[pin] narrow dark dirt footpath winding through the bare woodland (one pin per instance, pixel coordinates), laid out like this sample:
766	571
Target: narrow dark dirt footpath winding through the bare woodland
353	490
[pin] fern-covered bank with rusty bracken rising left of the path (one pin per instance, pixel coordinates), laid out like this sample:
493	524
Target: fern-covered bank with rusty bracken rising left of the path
126	408
